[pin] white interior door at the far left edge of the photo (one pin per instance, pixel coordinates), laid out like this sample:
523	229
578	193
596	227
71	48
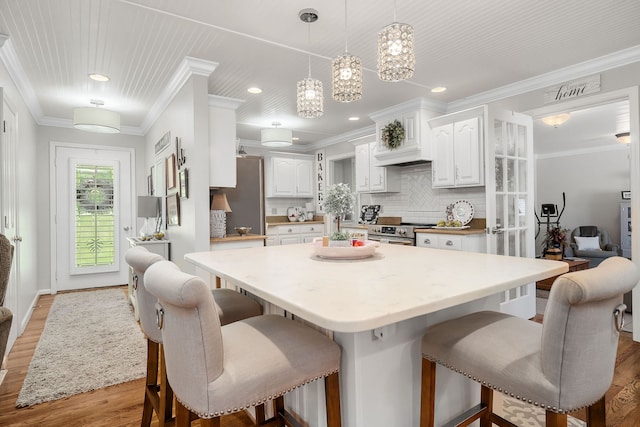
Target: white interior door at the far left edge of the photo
10	219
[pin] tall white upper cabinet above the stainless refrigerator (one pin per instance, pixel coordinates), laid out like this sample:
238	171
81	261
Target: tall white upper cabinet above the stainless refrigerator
222	141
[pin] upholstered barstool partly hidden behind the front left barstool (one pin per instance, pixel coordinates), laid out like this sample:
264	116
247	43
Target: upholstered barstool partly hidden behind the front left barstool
231	306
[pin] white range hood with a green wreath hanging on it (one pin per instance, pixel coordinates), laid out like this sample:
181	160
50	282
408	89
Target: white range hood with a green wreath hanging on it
416	146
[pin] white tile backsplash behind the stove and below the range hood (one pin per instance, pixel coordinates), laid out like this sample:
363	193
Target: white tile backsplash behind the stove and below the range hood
419	202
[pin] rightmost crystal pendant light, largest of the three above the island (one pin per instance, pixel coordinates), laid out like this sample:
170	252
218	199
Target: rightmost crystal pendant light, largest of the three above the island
396	60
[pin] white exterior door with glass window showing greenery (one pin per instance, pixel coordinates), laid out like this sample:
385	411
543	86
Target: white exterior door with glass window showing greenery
93	217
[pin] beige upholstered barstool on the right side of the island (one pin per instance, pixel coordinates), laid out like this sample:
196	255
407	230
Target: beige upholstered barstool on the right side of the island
565	364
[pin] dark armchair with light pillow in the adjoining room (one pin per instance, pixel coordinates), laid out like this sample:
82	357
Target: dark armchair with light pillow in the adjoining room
595	250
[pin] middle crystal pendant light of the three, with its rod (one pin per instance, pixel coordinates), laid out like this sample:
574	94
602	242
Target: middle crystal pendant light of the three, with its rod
346	72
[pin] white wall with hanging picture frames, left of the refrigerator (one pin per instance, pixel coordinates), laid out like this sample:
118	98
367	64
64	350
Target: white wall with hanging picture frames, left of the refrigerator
186	117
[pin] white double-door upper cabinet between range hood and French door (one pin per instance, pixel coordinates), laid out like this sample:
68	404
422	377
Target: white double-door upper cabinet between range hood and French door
458	154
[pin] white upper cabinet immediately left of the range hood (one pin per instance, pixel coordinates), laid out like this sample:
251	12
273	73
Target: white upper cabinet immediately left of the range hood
371	178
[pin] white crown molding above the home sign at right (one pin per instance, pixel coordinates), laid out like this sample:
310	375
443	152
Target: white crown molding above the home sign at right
593	66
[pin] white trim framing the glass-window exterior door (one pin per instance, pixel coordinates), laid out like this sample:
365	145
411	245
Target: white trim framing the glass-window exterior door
53	146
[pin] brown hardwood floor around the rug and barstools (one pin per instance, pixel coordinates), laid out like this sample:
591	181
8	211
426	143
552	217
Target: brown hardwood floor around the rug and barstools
121	405
